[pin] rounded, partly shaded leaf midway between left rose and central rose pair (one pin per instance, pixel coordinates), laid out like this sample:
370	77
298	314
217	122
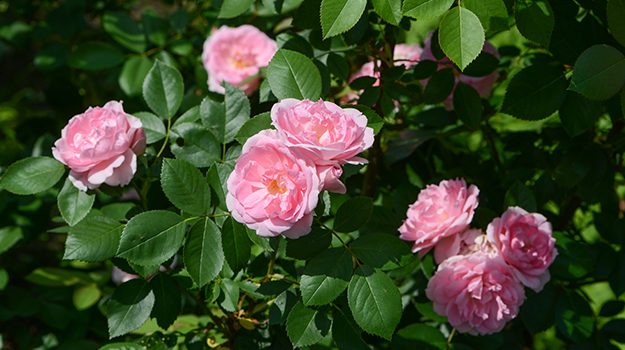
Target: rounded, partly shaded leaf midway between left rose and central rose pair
200	147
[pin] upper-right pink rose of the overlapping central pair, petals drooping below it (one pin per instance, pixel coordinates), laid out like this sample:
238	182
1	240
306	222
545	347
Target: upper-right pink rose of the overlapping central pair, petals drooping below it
324	132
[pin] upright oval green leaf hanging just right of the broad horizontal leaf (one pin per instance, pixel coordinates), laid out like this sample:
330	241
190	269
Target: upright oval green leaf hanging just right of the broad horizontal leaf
203	255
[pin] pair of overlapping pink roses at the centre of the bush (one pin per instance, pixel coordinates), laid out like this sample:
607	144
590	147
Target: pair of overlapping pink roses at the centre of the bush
276	181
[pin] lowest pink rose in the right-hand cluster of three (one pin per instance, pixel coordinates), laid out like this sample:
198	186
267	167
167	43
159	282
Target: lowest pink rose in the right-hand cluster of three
477	293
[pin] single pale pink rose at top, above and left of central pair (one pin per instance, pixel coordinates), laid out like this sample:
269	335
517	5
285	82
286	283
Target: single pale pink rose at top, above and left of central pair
235	54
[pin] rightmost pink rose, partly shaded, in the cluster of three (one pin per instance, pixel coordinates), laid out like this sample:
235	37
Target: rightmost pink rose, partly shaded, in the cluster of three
525	242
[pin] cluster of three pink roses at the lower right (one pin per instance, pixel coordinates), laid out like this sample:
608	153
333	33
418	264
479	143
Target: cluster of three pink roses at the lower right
479	283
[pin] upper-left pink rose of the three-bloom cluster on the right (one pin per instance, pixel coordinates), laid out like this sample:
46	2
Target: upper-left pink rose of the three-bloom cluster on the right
440	211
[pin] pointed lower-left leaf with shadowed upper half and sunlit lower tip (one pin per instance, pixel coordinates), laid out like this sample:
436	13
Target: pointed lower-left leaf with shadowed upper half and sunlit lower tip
129	307
